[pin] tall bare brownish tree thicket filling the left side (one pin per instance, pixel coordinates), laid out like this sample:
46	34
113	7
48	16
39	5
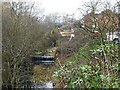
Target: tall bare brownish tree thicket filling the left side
22	35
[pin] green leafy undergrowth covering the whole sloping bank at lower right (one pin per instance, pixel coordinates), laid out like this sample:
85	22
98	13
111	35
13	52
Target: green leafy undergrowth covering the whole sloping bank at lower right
89	68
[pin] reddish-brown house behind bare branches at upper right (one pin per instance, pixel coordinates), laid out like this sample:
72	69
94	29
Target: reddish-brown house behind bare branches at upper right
105	19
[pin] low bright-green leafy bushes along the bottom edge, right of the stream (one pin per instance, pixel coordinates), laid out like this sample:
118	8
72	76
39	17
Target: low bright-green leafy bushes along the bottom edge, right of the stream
84	76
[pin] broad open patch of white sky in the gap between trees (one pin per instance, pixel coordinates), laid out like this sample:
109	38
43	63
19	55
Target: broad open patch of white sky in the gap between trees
62	6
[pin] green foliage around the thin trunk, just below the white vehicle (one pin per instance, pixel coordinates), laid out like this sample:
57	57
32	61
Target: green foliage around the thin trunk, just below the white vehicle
110	49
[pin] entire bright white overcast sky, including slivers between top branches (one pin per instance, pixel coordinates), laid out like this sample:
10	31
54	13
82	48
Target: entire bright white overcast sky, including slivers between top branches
61	6
